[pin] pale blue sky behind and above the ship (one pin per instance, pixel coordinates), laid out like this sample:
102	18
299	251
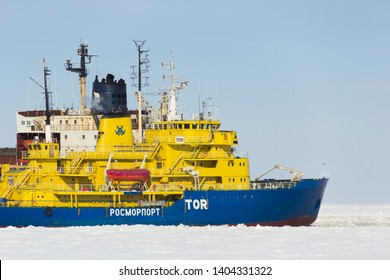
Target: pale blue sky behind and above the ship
303	82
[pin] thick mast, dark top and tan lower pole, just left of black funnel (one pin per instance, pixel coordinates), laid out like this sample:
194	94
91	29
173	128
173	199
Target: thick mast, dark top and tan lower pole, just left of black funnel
85	59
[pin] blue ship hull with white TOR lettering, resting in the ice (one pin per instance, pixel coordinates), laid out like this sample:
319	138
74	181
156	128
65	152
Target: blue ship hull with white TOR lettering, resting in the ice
295	206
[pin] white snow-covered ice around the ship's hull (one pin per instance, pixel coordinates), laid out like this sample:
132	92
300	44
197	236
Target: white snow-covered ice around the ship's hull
341	232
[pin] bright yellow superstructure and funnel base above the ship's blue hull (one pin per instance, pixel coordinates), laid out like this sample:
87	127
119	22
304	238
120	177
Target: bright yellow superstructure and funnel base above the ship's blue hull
180	155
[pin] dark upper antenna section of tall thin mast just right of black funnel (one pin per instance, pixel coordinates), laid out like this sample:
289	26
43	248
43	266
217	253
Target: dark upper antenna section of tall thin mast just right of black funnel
143	67
